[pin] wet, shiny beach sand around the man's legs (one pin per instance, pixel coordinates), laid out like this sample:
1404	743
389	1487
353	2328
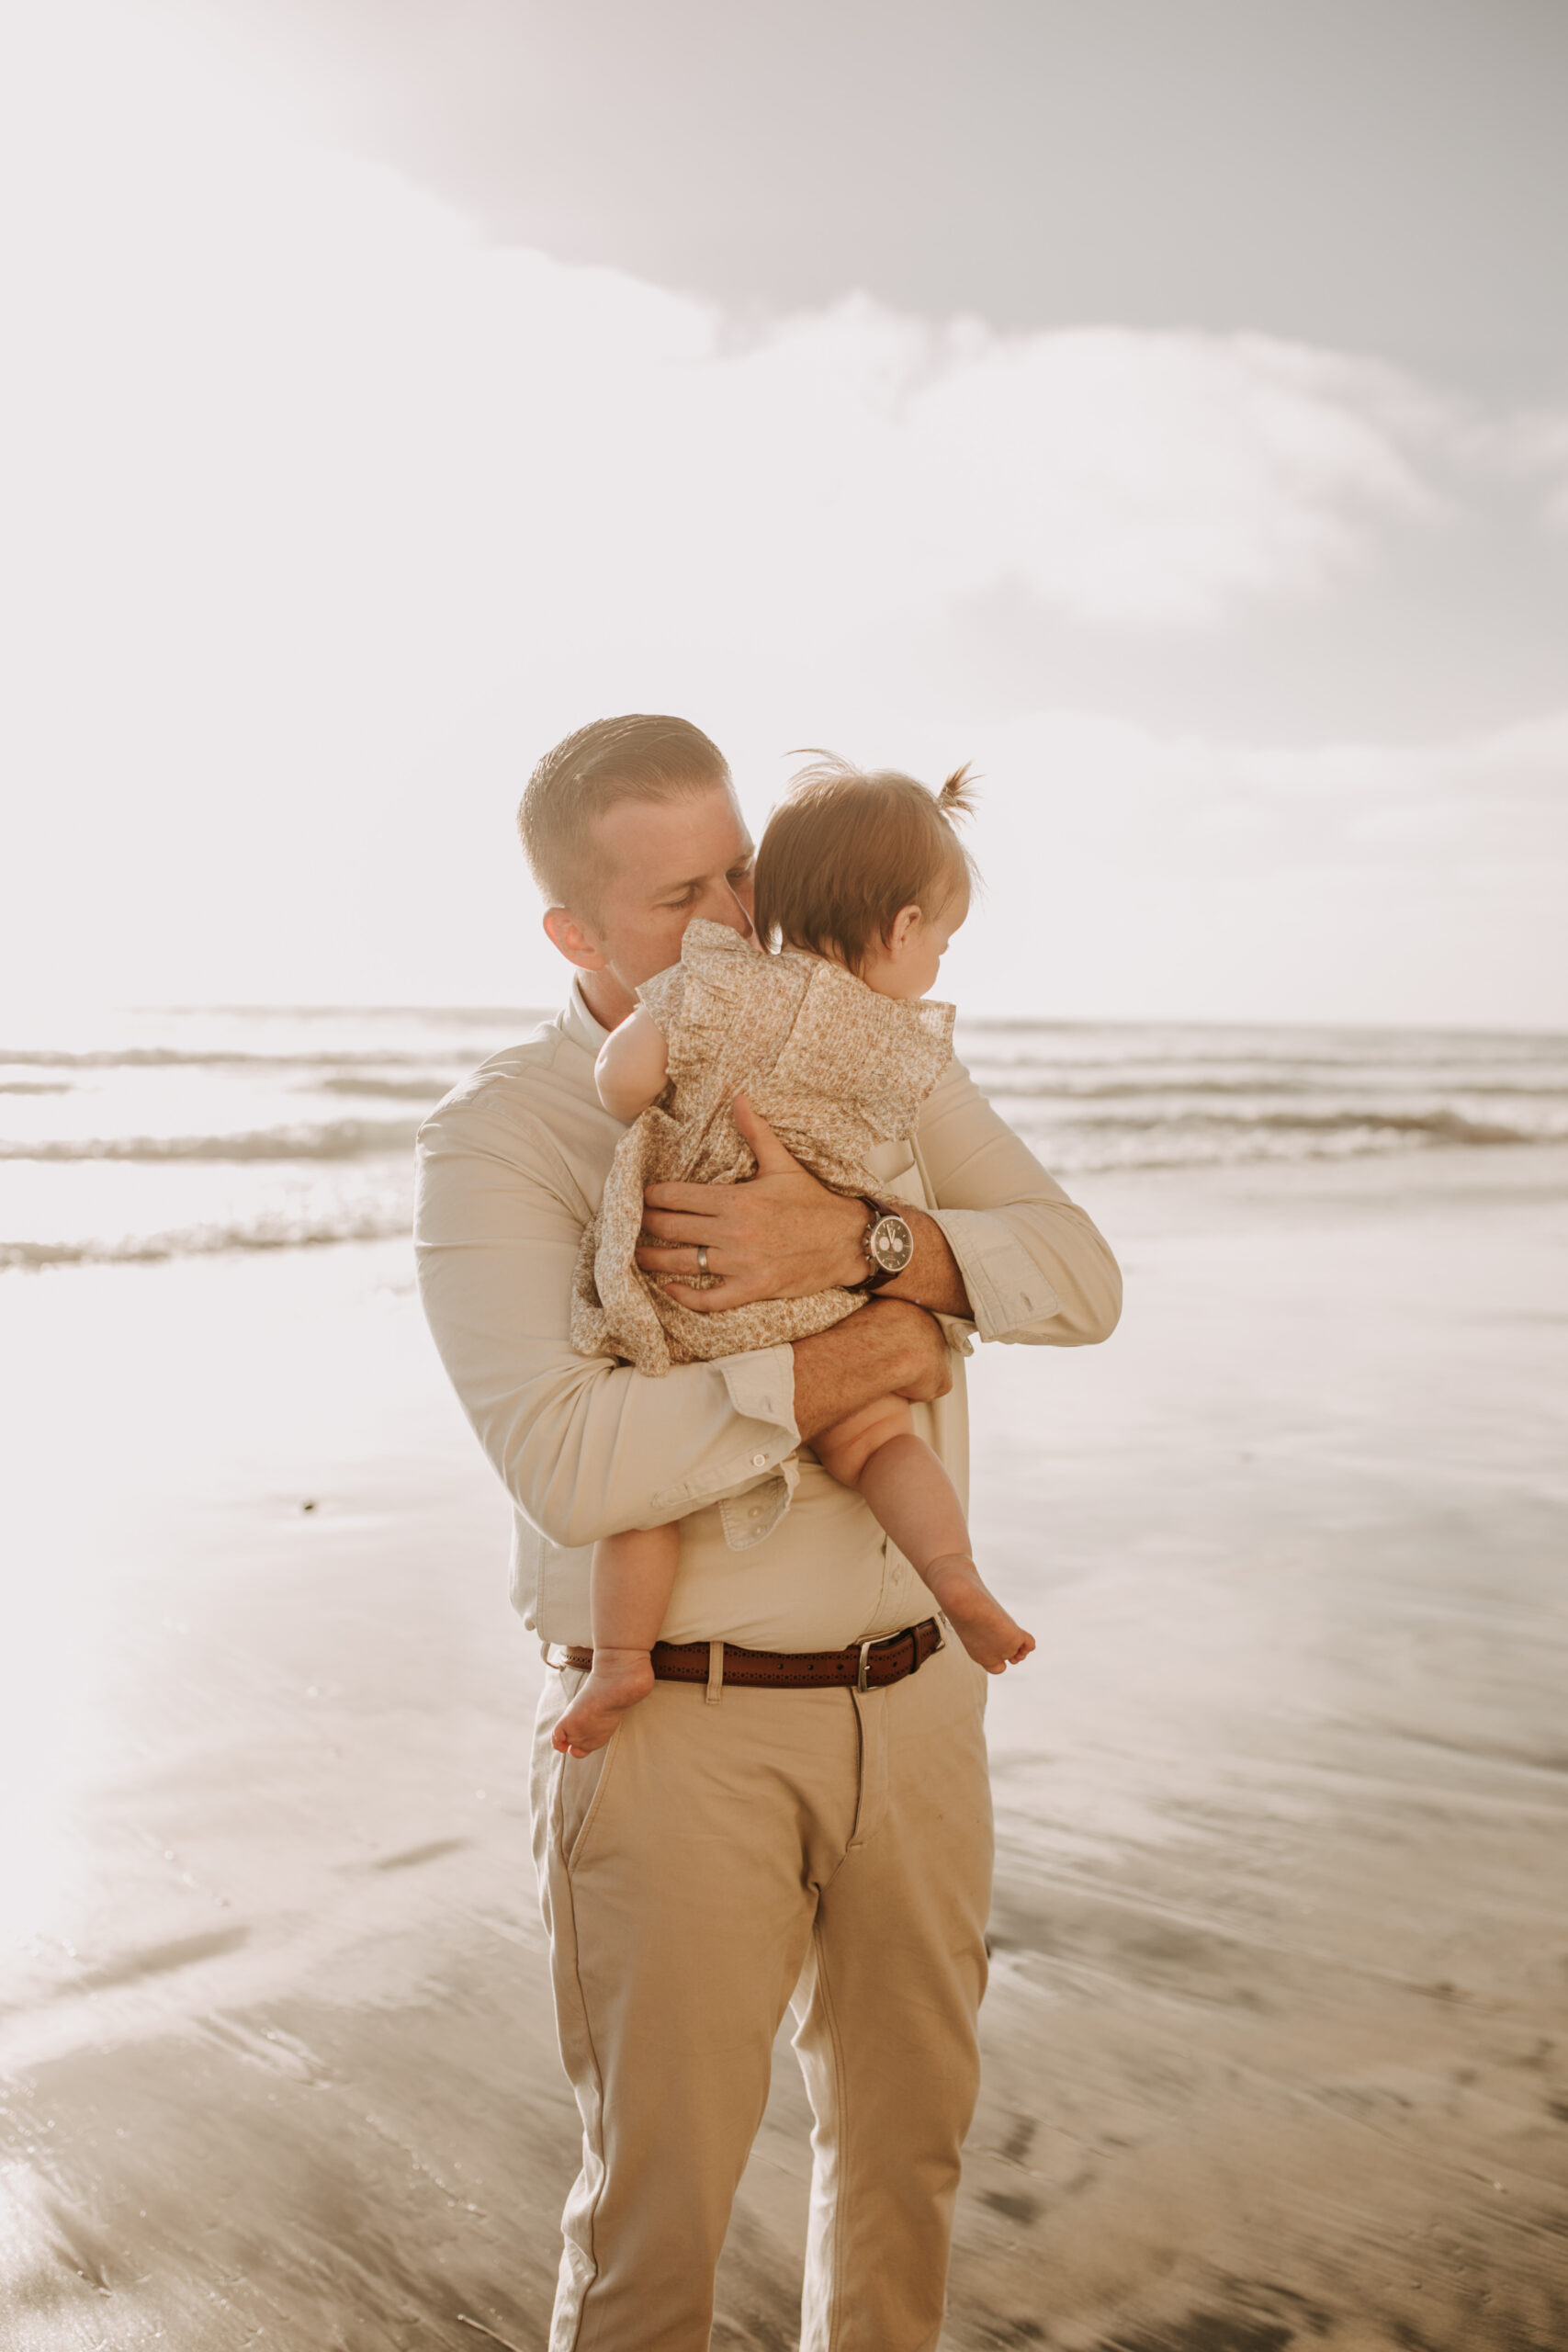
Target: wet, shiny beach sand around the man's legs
1278	2038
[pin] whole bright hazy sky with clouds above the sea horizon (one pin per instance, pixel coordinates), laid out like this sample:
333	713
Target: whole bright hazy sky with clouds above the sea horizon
1165	406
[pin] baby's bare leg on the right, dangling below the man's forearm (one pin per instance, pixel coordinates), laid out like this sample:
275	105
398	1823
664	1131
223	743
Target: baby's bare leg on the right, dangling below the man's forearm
880	1457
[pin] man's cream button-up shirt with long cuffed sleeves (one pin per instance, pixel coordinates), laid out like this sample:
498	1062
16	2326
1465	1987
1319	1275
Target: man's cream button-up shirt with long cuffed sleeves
775	1553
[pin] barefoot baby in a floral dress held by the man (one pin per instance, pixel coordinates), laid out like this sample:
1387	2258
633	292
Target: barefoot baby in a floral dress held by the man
864	883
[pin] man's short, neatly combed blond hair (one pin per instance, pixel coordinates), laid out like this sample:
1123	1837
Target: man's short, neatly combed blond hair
594	770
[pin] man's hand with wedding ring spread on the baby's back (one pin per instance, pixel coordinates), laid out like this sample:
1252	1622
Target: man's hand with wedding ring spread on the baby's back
782	1236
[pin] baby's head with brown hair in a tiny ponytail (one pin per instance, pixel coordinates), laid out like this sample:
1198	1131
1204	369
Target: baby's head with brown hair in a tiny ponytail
866	871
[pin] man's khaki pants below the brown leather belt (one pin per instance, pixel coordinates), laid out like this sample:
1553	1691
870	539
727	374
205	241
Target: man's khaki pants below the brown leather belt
716	1864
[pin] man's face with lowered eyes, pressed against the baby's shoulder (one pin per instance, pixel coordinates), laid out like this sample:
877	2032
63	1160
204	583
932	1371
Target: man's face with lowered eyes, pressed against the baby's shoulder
664	864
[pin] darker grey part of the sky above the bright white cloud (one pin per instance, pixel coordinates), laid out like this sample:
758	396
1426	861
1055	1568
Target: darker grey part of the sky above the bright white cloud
1372	175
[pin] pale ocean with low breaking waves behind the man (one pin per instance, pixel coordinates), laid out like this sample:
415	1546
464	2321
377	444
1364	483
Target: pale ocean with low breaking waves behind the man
161	1135
